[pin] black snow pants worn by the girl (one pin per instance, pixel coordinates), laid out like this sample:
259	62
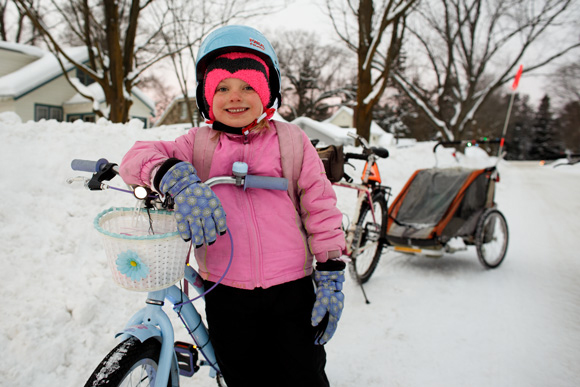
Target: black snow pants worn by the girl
263	337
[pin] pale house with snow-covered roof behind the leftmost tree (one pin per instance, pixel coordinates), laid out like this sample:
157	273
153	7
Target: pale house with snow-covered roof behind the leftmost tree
33	85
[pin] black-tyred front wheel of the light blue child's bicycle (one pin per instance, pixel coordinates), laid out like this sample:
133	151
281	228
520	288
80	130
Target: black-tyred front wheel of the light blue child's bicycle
129	361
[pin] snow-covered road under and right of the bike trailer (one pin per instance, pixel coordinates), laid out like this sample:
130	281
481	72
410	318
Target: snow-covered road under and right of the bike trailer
449	322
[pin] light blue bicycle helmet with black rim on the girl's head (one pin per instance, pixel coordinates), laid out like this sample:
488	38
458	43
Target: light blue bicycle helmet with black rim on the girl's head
231	39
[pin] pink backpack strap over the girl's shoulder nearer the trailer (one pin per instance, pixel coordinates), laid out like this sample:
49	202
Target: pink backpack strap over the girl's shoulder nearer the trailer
292	154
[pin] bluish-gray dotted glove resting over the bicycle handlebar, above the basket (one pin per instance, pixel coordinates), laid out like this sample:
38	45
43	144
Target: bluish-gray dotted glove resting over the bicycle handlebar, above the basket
198	211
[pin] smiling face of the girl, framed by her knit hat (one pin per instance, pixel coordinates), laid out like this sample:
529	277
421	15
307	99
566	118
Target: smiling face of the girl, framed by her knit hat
235	103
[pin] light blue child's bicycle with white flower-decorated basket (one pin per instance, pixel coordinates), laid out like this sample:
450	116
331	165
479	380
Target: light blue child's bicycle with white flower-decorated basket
146	253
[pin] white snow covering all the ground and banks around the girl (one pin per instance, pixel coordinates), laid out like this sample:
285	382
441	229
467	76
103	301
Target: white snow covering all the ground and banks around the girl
431	322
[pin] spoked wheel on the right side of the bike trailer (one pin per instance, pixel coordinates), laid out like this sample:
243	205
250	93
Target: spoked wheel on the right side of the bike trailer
491	238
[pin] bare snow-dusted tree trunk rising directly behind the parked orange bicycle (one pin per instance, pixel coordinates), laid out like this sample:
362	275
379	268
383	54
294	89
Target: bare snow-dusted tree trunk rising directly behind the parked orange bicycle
362	28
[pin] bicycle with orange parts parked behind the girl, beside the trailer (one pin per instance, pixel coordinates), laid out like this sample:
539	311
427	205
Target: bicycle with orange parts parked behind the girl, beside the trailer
365	232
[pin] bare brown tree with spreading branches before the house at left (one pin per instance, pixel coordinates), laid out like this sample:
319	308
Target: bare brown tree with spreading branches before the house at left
123	38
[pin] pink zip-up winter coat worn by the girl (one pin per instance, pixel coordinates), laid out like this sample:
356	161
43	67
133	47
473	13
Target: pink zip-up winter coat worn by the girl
273	244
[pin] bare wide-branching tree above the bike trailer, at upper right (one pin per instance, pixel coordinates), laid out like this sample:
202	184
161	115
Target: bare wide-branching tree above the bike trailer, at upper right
473	48
